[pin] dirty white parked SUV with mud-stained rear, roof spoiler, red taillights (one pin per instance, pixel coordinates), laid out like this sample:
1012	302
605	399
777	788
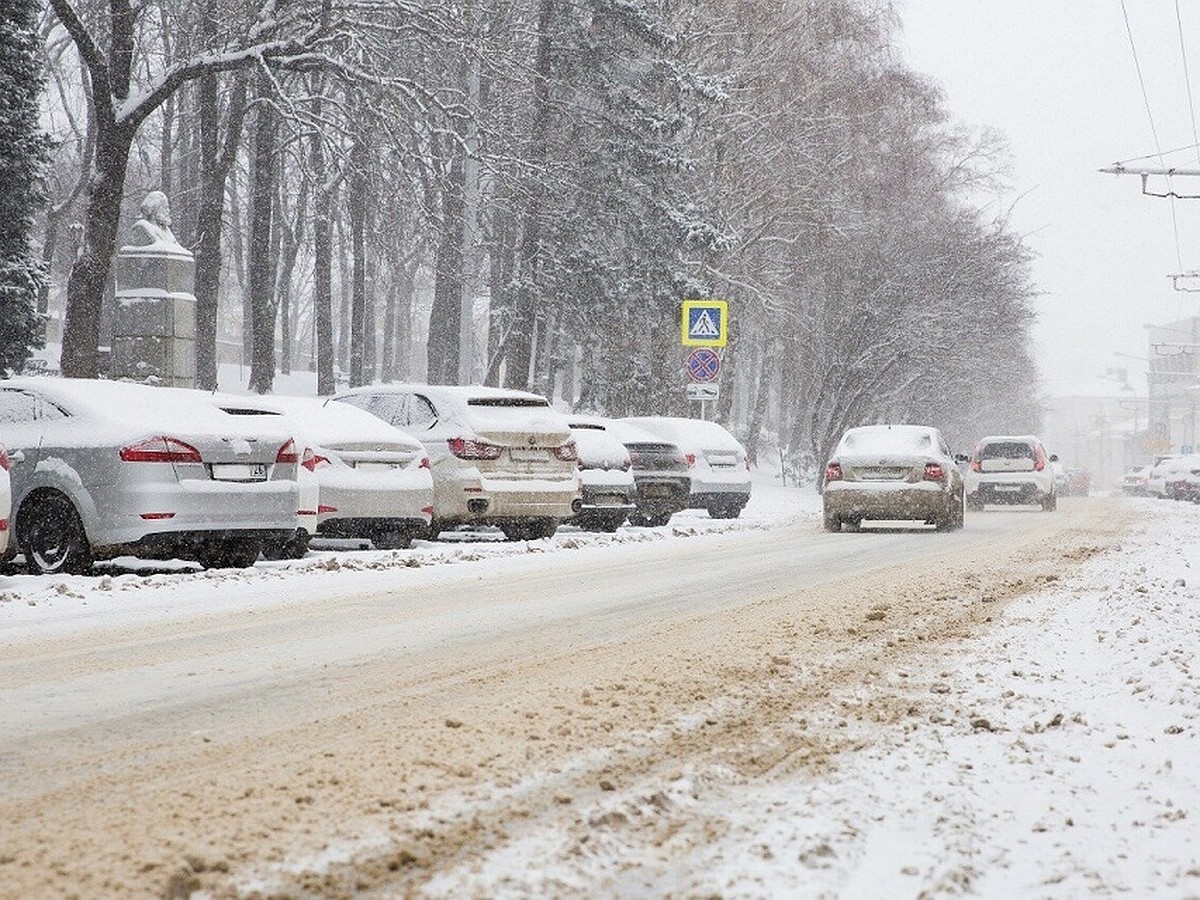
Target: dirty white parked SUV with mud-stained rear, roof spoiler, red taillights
500	458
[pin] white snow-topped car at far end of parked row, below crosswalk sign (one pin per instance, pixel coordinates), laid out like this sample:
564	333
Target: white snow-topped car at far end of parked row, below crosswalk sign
718	464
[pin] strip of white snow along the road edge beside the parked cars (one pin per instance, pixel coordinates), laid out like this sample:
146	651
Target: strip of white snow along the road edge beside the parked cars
131	591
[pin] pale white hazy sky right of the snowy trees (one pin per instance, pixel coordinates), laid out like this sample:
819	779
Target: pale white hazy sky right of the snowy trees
1059	79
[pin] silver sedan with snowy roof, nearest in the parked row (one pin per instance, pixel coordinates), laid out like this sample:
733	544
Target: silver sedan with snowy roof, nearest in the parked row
109	469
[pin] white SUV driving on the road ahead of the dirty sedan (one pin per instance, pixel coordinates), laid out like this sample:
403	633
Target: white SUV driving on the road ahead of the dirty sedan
1011	470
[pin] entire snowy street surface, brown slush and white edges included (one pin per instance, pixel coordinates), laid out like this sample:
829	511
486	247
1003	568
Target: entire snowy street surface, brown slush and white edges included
765	711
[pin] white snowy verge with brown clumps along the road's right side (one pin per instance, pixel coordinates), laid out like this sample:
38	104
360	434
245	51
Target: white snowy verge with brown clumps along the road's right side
1054	755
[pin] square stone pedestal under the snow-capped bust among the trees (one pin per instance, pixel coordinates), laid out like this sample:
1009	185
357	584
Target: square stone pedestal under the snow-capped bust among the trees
154	317
